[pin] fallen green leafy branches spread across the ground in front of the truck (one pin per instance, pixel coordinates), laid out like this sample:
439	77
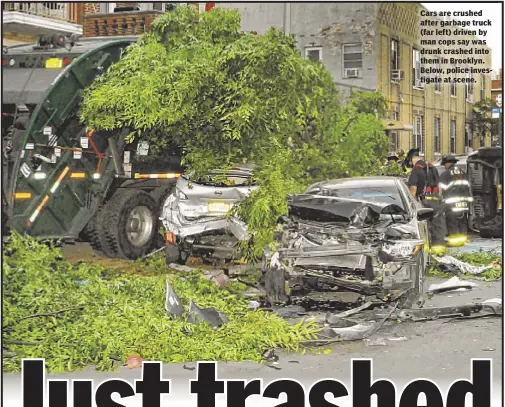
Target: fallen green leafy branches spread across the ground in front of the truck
110	315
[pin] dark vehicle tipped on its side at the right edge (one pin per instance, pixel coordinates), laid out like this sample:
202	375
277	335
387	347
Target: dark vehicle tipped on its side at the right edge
485	173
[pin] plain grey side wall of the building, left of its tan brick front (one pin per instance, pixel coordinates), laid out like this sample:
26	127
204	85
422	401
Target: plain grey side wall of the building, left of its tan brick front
325	25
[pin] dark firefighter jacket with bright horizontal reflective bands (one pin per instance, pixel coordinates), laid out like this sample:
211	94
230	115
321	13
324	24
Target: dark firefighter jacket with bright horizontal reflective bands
455	189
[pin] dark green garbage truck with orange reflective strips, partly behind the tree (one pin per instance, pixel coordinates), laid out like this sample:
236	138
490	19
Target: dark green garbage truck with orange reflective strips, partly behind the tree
61	180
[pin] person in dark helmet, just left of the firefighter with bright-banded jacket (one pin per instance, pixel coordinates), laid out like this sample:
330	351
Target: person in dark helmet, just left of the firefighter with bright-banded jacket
423	184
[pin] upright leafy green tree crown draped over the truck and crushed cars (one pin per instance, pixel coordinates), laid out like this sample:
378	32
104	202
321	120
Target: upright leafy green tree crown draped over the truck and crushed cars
228	97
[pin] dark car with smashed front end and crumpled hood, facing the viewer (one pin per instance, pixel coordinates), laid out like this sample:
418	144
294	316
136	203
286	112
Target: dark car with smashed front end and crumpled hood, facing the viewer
345	242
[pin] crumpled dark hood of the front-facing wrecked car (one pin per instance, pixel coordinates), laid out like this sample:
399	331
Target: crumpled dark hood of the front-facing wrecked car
334	209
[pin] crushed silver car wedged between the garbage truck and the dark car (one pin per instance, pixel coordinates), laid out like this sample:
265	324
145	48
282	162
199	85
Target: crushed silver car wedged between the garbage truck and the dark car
196	216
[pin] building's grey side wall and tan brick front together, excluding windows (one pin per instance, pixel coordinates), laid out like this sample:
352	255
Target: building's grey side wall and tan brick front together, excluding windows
374	25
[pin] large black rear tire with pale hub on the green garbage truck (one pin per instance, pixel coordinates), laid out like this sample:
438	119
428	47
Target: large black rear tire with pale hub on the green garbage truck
130	223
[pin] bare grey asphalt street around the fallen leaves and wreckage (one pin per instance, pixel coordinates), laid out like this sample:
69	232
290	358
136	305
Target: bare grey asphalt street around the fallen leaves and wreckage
440	350
